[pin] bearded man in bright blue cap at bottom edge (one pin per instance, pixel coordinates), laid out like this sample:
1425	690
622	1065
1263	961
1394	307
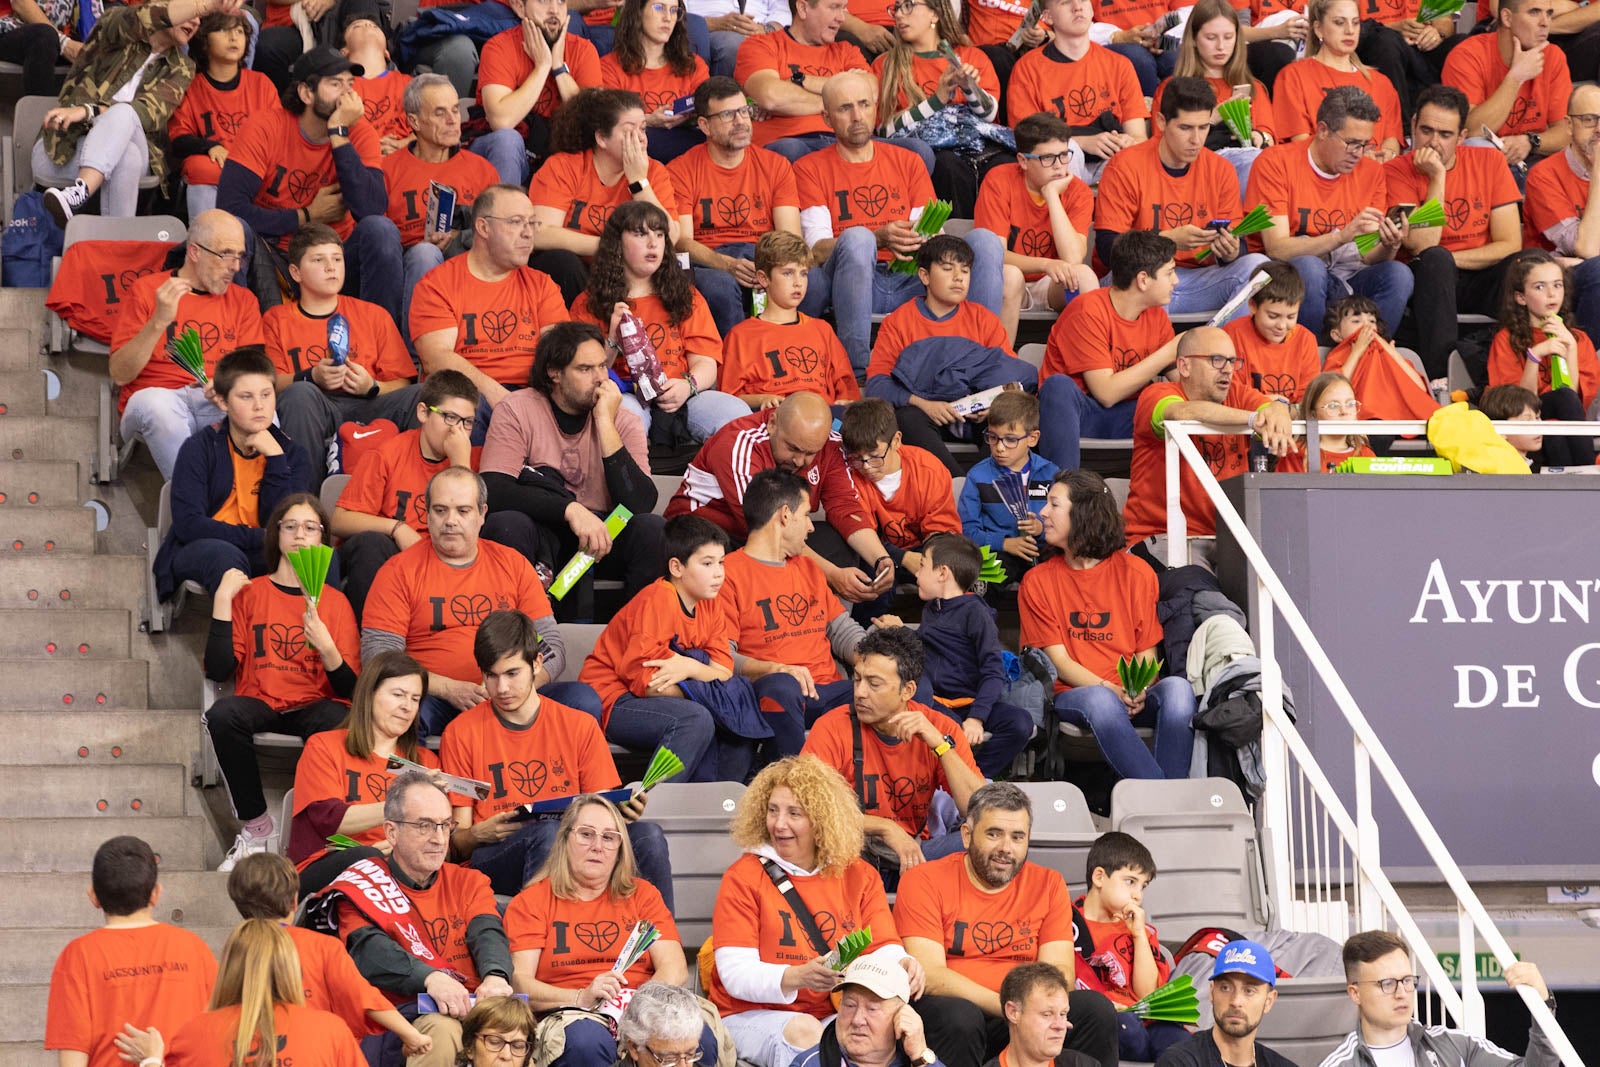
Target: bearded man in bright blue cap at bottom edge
1244	989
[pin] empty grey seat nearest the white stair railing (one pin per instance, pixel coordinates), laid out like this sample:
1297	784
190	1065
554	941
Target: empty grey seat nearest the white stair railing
1204	842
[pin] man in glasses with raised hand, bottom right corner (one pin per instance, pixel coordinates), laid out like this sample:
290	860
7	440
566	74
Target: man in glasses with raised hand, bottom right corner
1383	985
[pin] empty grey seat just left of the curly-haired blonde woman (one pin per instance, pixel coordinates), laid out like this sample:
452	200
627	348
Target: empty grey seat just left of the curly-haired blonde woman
695	818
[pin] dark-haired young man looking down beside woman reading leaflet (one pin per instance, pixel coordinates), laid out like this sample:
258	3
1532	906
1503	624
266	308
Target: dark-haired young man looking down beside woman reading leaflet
532	749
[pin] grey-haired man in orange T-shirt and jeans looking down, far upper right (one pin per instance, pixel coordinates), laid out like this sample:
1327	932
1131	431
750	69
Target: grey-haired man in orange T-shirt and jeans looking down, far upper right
1322	194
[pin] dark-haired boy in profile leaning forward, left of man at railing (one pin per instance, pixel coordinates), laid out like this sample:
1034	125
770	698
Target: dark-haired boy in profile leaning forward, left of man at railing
1106	348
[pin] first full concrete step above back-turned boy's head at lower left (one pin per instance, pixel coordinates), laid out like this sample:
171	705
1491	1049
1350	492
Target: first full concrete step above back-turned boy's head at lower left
97	791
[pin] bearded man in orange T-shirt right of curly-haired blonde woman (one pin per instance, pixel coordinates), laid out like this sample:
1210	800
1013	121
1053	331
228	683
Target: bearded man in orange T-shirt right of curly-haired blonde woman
970	919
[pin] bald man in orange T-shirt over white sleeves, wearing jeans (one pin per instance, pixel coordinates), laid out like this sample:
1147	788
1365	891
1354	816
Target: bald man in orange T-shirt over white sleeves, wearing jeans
858	204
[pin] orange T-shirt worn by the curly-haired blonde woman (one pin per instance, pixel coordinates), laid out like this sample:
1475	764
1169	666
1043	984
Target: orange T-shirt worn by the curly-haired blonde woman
753	914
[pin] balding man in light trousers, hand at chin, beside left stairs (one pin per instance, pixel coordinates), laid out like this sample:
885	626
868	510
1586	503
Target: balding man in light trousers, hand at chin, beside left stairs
159	402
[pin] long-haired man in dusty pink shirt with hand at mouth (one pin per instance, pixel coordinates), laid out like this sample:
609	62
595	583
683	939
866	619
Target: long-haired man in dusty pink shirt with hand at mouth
559	457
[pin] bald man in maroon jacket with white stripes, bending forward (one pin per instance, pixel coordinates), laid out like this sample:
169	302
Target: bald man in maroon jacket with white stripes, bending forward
796	436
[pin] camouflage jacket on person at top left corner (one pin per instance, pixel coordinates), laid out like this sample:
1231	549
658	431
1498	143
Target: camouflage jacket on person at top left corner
113	55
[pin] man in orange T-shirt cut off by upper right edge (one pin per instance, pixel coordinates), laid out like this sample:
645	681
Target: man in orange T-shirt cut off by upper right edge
1562	212
